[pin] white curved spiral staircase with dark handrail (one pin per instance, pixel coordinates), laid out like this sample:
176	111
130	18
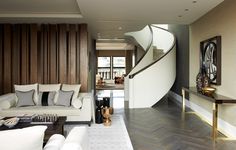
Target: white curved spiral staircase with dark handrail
154	74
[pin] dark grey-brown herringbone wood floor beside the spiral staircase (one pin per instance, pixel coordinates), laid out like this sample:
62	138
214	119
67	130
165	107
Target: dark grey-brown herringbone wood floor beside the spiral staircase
164	128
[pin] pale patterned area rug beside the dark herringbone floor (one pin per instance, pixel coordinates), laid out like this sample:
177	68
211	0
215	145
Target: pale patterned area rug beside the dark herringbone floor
114	137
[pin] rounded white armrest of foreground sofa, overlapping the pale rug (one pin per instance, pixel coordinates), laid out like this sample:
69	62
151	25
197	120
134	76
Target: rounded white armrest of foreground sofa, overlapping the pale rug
77	139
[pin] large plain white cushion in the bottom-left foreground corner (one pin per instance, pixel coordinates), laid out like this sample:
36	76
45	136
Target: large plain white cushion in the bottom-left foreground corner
30	138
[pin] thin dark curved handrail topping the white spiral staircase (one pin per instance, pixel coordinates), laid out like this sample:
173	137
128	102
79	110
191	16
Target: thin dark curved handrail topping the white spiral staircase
173	44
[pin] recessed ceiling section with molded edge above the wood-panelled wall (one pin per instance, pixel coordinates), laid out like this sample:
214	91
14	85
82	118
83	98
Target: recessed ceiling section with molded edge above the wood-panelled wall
40	9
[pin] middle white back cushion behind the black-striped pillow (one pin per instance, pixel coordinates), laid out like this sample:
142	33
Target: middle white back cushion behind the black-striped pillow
50	88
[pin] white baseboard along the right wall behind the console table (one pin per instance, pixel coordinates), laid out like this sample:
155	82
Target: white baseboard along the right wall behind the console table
224	127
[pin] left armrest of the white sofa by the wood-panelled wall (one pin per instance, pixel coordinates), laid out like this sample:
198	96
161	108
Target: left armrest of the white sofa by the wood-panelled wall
7	101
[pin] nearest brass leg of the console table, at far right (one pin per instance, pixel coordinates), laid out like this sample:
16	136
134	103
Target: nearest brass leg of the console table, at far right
214	121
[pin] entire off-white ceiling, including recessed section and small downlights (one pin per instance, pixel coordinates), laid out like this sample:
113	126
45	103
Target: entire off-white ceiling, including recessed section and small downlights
107	19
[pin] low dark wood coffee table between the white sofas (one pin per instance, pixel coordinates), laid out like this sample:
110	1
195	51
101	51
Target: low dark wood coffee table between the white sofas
56	128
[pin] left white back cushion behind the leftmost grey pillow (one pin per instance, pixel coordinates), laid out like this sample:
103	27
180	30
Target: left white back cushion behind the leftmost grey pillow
28	87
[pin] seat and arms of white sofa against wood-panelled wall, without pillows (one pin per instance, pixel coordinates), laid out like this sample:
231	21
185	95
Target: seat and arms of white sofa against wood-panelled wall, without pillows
83	114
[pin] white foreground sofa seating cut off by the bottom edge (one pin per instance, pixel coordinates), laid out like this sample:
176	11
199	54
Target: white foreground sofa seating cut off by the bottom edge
31	138
